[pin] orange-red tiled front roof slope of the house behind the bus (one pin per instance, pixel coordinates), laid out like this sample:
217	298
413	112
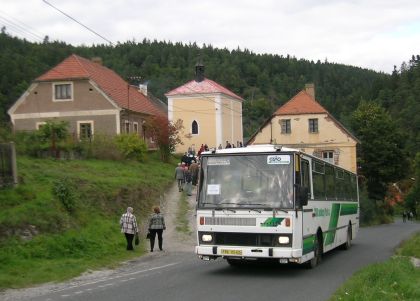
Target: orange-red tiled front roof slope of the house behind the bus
301	103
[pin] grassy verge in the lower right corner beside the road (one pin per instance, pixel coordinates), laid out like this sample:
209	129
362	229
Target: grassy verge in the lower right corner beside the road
395	279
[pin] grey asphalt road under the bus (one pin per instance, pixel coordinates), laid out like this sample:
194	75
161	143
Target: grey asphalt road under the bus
182	276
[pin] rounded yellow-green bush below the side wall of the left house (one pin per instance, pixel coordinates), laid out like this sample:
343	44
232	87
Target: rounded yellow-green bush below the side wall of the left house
131	146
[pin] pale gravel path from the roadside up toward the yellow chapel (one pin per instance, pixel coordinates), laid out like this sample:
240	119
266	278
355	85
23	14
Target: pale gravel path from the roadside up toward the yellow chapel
173	242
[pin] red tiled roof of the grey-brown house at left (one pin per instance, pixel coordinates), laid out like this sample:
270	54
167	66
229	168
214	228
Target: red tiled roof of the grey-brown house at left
76	67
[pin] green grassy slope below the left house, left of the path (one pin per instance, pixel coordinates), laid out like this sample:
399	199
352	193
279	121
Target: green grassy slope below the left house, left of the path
44	239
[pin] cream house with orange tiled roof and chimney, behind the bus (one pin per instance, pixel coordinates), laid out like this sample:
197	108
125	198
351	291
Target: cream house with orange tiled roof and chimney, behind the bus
304	124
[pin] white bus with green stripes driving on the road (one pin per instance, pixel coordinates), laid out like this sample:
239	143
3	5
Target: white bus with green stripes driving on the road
271	202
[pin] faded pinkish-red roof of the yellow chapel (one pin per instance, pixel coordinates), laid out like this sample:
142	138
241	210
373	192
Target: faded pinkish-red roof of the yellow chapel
207	86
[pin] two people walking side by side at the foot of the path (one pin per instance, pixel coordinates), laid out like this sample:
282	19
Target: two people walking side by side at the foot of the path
128	224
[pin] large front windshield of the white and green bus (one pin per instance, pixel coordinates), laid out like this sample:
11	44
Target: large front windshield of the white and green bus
247	181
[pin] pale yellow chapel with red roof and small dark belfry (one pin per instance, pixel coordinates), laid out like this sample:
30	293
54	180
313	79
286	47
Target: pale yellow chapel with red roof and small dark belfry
211	114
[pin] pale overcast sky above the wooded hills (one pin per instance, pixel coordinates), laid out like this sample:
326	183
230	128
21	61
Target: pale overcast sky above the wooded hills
374	34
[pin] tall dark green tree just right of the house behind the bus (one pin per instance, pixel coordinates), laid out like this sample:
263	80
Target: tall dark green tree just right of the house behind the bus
381	155
